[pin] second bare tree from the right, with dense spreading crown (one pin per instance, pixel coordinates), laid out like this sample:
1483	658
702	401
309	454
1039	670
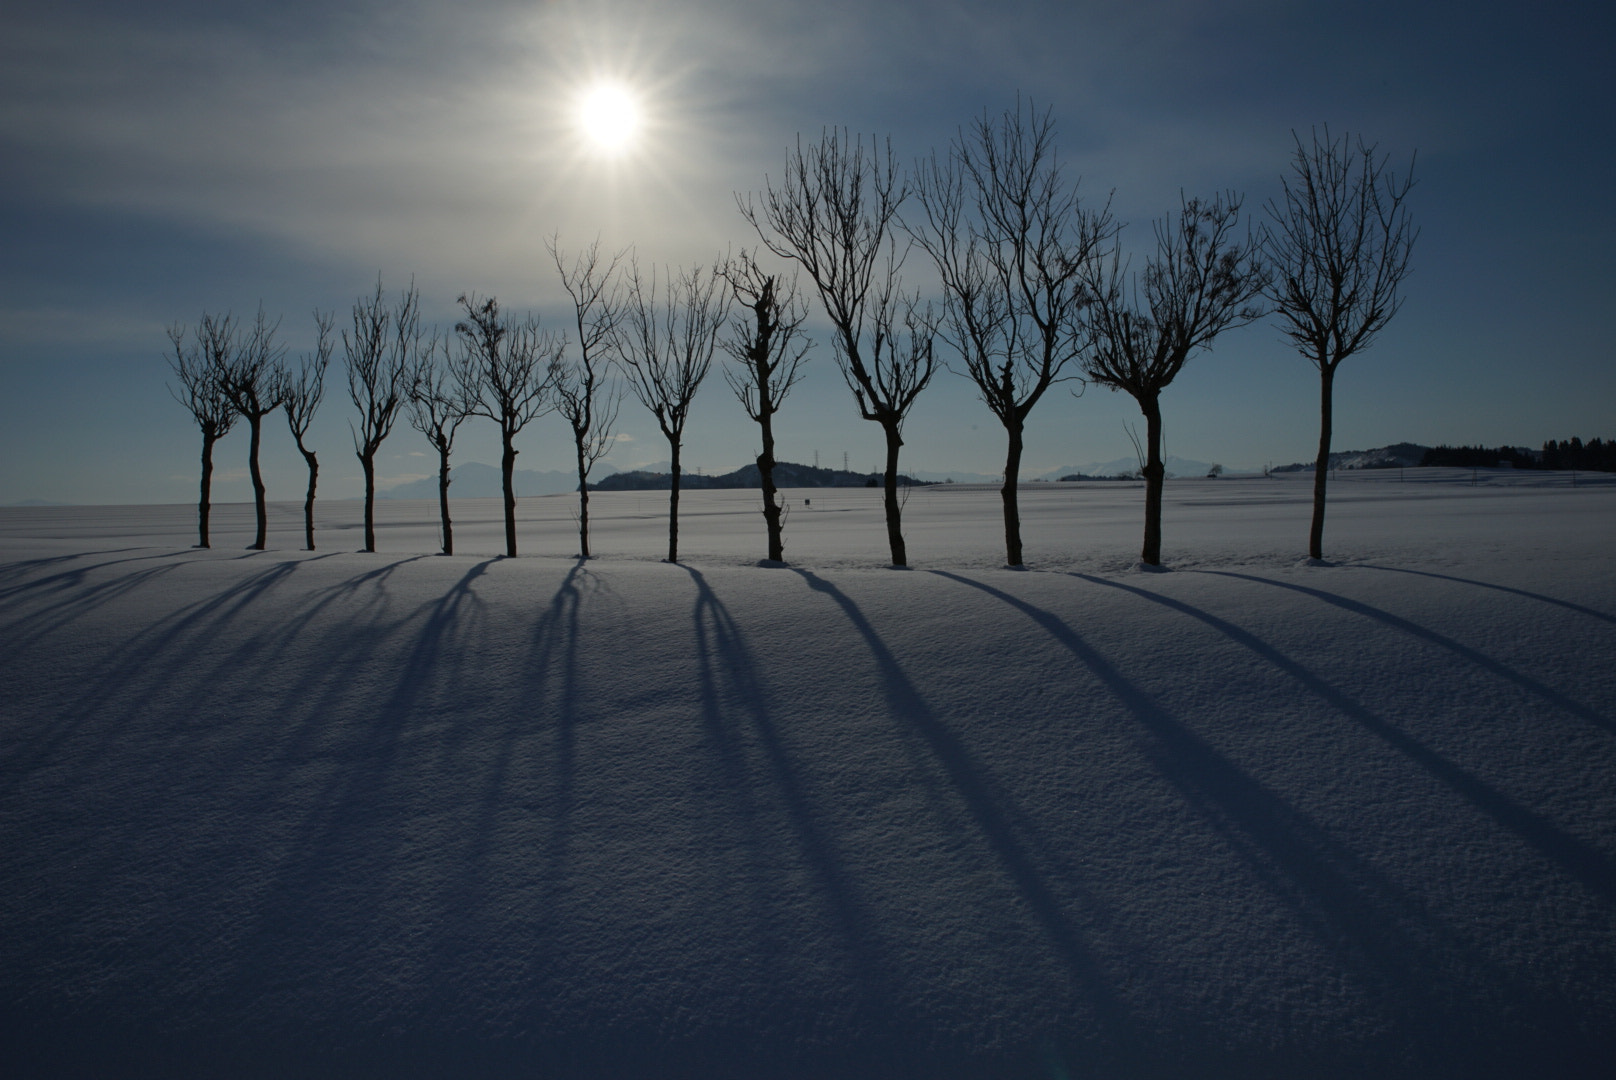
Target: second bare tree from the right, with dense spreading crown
1201	282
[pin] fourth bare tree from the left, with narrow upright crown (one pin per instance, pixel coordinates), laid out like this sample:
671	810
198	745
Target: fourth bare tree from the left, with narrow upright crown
379	353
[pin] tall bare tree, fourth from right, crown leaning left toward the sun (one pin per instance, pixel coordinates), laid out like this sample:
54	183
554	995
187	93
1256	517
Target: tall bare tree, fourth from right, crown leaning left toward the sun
833	213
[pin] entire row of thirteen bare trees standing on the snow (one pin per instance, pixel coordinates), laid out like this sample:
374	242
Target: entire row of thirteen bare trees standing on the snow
1035	290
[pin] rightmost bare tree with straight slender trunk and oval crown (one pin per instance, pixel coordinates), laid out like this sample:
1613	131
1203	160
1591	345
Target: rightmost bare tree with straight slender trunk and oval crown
1340	250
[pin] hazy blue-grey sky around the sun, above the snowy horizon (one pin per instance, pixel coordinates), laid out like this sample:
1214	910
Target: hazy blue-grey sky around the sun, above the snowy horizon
169	159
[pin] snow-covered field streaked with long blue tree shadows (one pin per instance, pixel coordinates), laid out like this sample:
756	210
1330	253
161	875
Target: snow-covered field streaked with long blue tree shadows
332	814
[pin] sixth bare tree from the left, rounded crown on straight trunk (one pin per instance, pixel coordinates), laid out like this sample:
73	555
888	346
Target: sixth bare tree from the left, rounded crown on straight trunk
507	371
